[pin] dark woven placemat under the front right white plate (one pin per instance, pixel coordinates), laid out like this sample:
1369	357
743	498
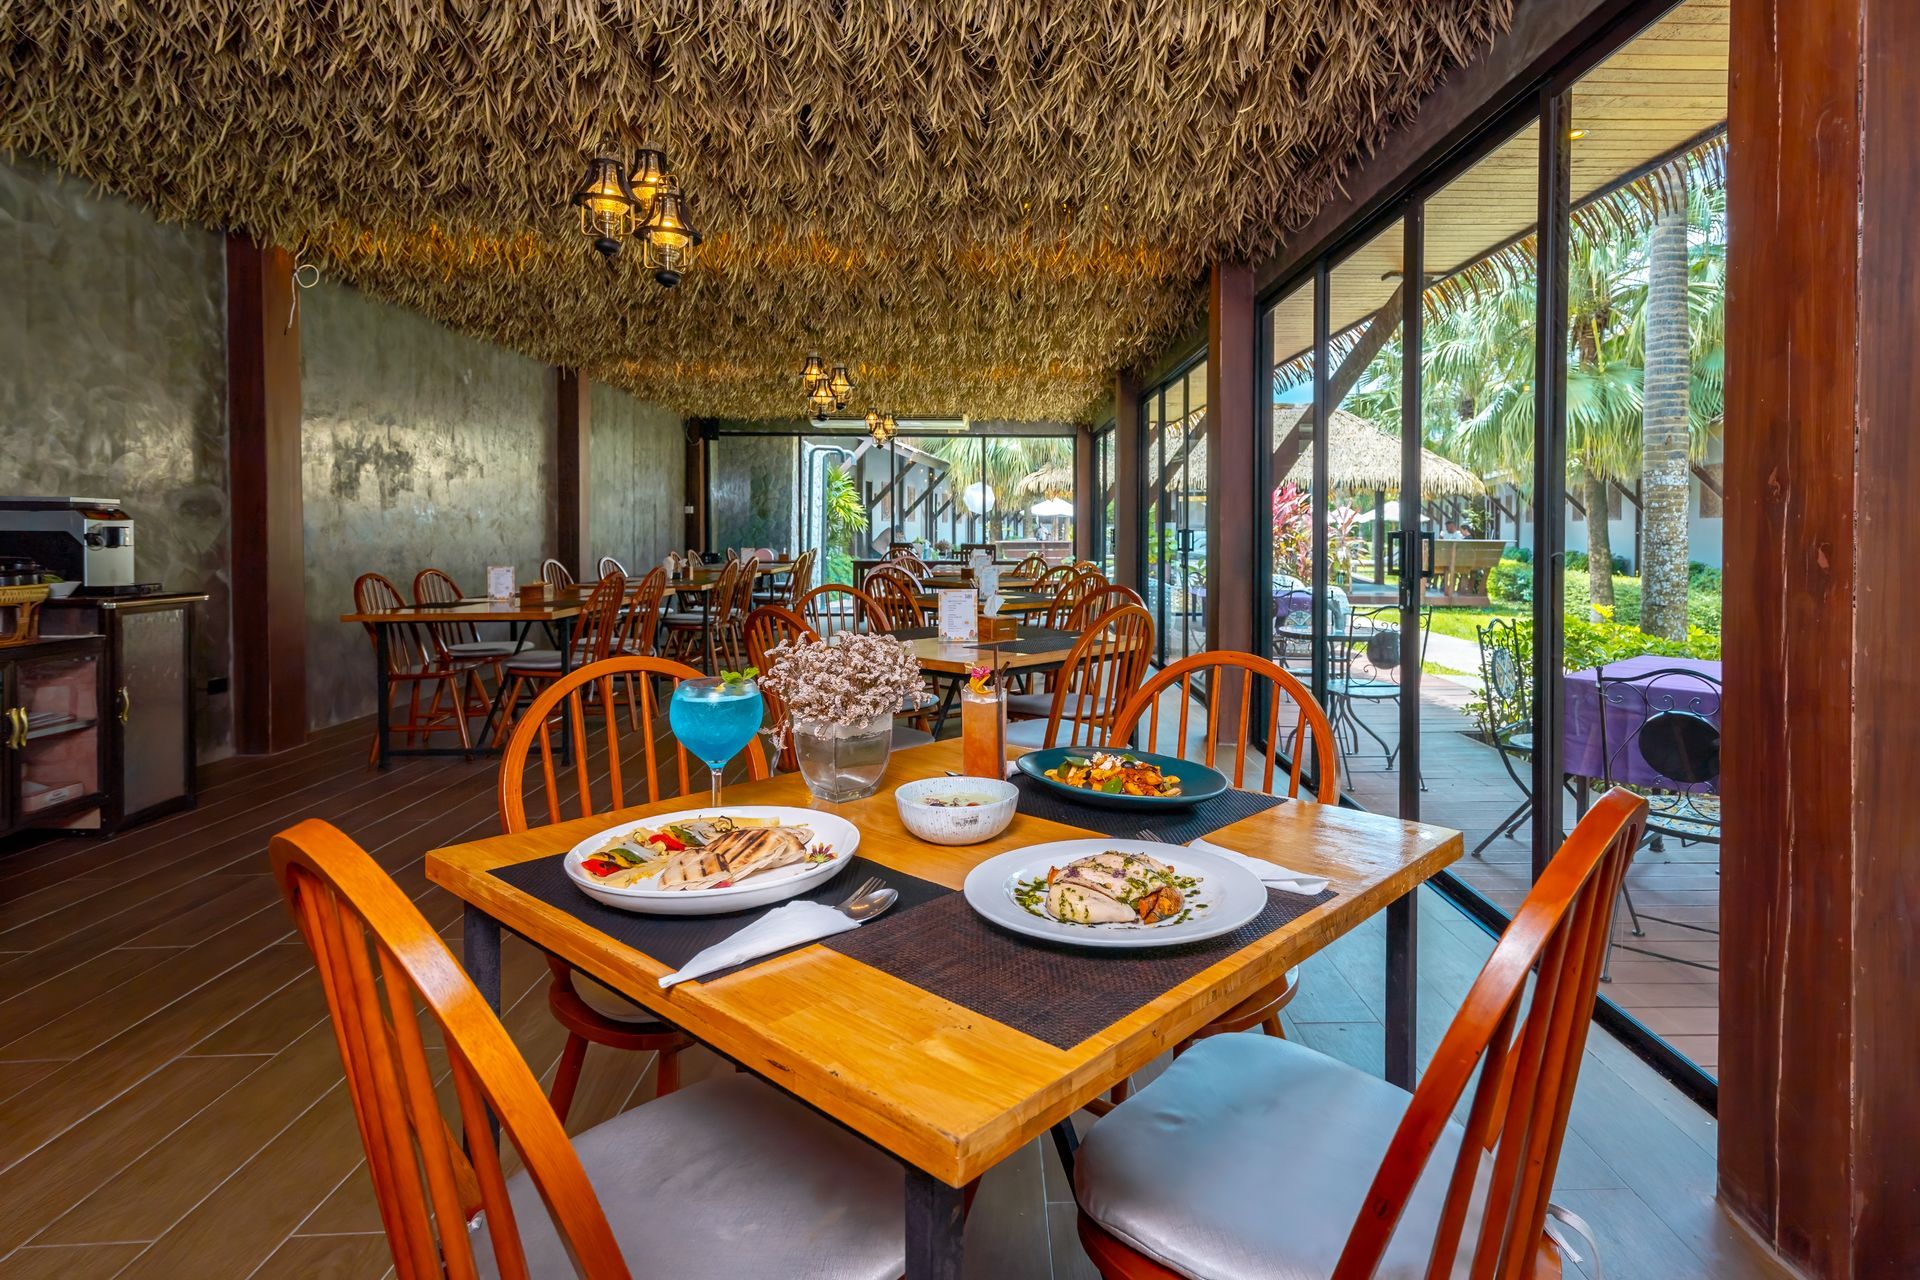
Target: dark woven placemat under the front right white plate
1059	995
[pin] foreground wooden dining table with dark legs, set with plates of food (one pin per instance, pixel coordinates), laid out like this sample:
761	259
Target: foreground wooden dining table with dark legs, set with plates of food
944	1089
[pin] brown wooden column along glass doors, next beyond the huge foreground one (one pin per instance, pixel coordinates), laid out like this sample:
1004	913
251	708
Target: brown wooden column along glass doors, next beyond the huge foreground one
1230	460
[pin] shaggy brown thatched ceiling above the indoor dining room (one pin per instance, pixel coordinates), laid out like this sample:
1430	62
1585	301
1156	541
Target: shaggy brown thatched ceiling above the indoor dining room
984	206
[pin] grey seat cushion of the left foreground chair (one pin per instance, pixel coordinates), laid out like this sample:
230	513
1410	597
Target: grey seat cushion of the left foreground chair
727	1179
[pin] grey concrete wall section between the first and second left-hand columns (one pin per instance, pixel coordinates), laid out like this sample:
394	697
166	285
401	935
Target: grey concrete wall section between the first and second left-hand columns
420	448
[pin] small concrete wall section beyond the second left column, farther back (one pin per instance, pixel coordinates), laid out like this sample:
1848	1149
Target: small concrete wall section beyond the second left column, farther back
638	486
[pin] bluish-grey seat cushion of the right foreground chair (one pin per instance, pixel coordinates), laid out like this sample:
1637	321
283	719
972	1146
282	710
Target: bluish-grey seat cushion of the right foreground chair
1251	1158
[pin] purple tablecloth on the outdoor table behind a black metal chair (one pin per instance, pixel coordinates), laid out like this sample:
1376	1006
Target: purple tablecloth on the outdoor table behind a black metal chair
1629	709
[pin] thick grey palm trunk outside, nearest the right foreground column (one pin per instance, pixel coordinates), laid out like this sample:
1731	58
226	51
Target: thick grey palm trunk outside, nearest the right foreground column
1664	471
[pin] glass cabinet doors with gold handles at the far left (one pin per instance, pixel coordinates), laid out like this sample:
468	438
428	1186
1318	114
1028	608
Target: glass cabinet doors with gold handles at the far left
53	732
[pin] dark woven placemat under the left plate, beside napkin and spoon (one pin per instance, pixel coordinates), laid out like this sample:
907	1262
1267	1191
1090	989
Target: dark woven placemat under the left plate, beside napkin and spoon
679	939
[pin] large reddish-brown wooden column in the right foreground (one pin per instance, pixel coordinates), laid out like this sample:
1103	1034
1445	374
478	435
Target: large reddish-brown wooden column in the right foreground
1821	888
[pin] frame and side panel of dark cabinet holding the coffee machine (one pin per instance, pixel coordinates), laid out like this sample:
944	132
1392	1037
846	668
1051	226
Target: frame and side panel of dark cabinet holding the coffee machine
145	684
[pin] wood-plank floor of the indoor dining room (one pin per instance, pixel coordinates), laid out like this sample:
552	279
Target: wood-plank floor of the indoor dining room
172	1099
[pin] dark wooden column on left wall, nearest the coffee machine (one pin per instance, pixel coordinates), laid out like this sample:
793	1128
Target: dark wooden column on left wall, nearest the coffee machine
270	563
